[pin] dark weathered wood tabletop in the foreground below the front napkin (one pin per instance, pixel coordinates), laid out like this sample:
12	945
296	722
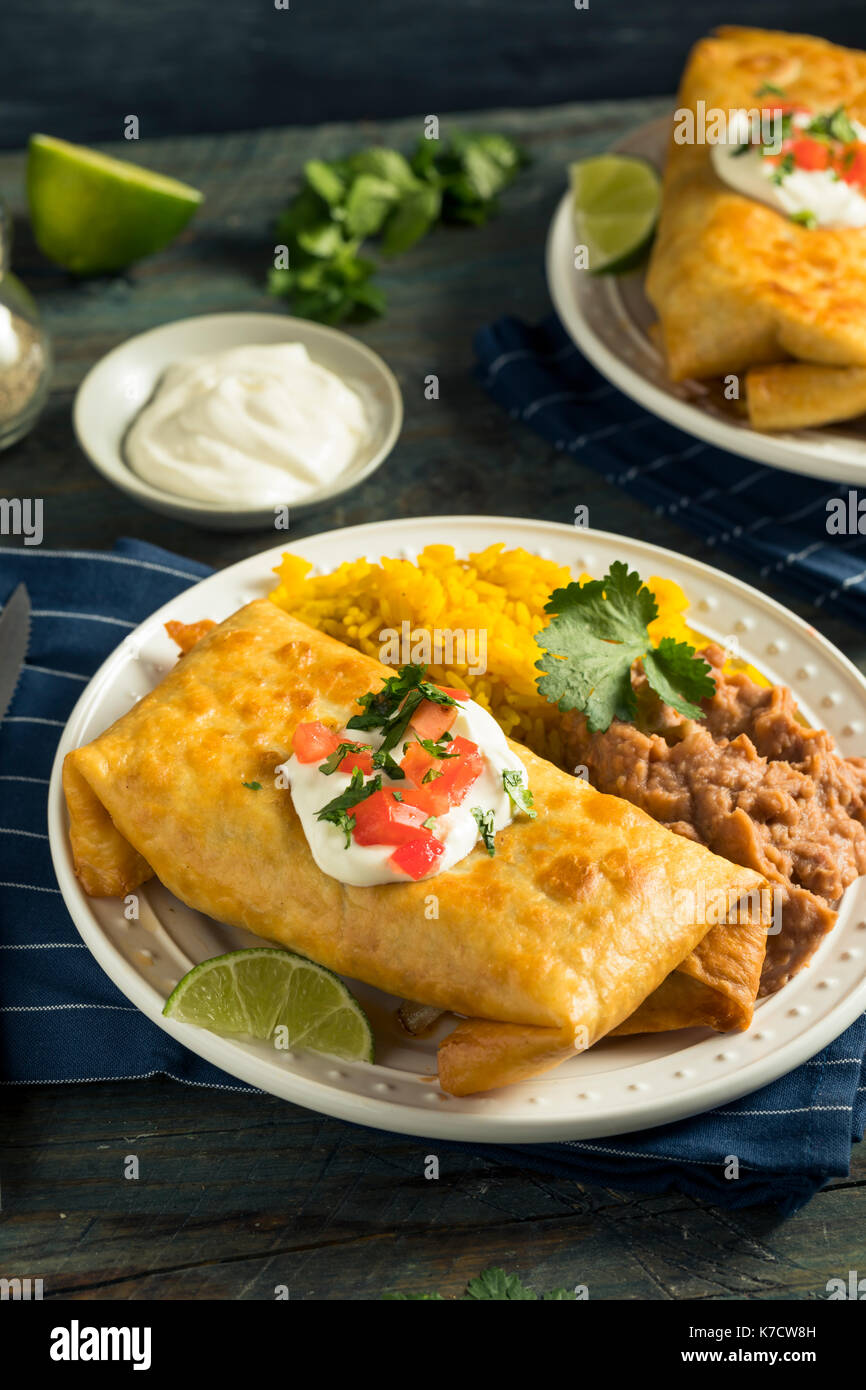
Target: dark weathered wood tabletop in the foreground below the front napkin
238	1195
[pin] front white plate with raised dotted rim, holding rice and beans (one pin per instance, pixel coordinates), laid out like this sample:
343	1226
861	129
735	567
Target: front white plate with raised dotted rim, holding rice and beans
618	1086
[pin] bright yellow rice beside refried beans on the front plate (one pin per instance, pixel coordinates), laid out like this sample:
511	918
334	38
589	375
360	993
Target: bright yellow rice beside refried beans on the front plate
497	591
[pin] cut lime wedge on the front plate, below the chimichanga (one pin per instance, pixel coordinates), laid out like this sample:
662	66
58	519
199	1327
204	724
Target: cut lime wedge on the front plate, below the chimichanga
254	993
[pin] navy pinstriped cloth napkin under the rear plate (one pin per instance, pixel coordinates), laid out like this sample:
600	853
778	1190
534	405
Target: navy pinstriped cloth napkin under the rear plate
776	521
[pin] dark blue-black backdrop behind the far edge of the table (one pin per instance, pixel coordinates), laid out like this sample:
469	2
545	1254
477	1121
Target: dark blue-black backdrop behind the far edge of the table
77	67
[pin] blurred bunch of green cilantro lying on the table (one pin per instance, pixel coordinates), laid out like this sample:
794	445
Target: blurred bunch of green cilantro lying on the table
380	194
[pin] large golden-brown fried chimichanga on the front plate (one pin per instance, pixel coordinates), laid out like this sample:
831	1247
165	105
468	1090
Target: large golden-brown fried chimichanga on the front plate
569	928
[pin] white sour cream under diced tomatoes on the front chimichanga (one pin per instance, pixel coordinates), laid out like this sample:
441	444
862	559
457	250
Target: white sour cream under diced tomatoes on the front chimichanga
365	865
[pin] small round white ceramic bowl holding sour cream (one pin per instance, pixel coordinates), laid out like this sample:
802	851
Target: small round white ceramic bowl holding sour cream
116	390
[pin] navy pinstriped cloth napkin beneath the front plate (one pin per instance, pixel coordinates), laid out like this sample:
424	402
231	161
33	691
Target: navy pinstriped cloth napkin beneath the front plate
62	1020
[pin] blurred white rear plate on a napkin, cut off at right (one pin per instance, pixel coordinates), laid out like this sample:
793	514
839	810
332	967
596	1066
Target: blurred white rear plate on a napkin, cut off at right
608	318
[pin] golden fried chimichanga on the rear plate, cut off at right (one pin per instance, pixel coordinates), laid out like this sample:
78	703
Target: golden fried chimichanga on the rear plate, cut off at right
736	284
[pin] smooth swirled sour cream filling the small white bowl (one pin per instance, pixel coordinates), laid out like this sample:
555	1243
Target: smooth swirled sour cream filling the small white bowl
261	425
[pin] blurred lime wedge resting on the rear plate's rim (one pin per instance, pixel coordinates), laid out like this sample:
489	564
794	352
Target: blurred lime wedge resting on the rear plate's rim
616	206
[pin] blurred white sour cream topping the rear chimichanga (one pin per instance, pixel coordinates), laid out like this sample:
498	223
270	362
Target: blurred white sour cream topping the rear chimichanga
819	195
